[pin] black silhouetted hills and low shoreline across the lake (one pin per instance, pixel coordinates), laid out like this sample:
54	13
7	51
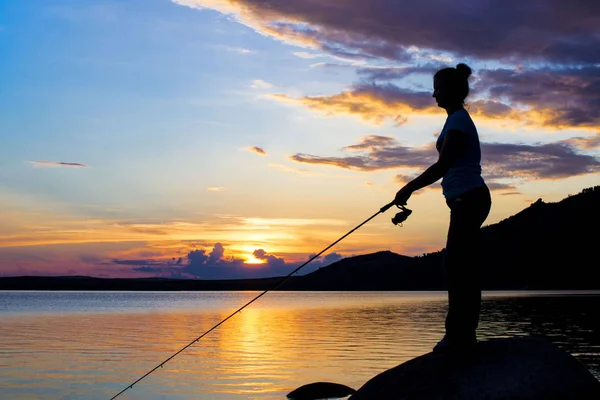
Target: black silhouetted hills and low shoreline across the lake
545	246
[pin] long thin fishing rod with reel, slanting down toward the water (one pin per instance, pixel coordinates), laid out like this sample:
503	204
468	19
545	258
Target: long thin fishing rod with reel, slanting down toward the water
397	220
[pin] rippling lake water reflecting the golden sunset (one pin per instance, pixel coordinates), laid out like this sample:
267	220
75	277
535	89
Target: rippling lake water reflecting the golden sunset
91	345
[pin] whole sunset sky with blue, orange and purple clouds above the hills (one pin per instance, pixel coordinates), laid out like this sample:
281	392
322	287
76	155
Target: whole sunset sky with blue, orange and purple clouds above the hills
236	138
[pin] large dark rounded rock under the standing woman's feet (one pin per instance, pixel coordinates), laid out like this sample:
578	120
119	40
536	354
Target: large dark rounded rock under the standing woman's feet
500	369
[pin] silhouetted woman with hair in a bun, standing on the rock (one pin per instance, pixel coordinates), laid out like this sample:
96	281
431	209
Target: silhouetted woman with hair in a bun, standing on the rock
469	201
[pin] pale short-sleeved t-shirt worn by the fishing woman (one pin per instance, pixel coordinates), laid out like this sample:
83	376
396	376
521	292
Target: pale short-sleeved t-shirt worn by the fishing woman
465	173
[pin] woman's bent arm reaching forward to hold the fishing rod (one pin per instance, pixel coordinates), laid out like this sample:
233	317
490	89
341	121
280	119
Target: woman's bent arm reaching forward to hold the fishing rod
452	145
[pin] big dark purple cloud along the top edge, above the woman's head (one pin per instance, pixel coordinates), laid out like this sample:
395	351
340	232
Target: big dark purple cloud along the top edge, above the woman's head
507	30
